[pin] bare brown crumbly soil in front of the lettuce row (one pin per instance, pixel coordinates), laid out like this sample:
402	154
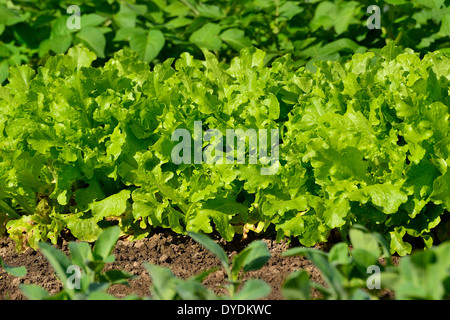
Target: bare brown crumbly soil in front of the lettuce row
179	253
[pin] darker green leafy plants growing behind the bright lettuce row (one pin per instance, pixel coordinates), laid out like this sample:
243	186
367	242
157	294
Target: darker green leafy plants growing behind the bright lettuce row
157	30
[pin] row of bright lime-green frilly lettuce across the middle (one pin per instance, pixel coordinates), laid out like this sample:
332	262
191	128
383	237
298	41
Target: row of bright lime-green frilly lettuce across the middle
364	141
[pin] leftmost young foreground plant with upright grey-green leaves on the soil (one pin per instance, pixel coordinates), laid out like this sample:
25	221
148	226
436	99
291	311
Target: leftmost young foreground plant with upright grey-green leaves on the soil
82	275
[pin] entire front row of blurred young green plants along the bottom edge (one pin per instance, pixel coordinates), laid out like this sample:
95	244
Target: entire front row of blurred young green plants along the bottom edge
346	269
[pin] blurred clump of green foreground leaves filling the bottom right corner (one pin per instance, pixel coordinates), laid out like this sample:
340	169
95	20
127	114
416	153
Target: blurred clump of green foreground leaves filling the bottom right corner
348	267
